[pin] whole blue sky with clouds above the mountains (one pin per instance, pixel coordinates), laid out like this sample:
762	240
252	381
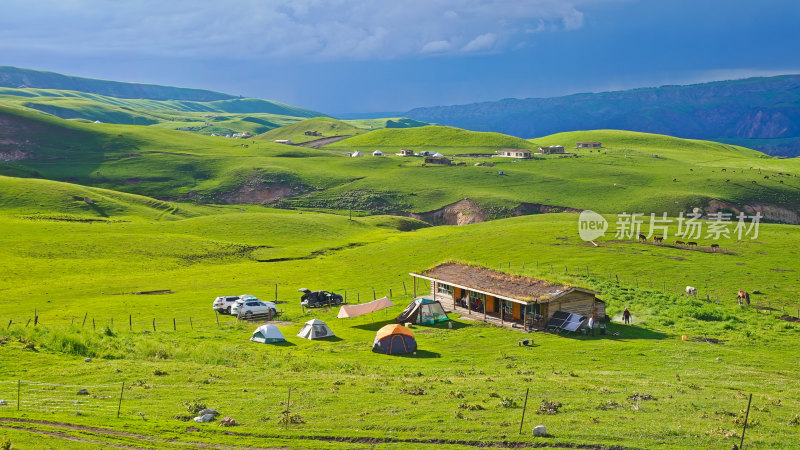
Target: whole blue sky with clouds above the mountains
340	56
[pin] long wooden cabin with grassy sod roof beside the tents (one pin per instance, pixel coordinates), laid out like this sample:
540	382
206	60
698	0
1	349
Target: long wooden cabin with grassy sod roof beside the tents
527	301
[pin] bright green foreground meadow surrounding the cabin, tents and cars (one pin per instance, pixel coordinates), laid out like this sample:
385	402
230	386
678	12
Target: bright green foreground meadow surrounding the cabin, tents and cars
451	390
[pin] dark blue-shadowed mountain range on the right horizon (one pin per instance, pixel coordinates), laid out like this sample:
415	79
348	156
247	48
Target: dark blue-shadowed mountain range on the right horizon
760	113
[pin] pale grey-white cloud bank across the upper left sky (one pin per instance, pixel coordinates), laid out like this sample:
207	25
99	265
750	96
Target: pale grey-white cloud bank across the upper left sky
281	29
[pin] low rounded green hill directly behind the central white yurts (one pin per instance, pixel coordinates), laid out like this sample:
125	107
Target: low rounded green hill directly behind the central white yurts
432	136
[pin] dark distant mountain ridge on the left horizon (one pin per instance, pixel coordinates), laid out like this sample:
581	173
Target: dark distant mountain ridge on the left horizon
14	77
